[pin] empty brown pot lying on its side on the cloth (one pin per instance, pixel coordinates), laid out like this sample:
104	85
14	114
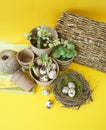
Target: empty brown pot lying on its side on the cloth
23	80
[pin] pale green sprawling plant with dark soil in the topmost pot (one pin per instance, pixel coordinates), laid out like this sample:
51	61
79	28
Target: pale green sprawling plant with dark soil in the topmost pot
43	38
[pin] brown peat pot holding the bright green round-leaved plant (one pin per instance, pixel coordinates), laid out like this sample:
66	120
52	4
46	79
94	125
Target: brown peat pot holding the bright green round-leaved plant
63	65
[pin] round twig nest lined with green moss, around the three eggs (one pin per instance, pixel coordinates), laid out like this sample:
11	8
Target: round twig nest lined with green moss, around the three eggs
83	92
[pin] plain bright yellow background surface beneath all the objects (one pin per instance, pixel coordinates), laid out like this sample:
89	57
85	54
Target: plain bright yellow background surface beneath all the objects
28	112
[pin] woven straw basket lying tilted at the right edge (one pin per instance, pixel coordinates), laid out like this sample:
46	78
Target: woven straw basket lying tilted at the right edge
89	37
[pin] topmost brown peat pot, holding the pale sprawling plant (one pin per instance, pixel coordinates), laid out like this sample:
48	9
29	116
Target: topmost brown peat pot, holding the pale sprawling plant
39	51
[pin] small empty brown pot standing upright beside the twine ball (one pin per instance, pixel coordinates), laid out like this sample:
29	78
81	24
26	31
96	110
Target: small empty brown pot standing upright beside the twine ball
25	57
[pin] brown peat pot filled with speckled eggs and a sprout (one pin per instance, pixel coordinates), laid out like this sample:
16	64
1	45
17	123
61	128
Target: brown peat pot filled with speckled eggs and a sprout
44	84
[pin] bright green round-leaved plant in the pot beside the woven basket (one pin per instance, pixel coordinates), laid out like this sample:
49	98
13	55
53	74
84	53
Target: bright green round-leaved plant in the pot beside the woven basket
65	51
